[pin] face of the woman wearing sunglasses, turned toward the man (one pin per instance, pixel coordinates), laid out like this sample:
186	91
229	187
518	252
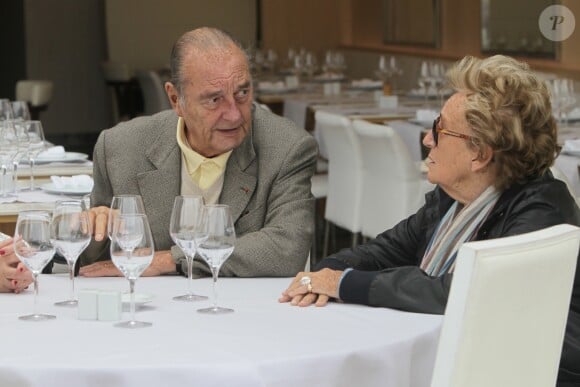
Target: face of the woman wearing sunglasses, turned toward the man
453	162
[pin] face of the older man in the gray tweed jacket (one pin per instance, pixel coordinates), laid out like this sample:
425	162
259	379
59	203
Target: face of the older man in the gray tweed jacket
217	100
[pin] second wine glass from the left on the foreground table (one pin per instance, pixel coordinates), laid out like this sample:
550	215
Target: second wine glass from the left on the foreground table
71	234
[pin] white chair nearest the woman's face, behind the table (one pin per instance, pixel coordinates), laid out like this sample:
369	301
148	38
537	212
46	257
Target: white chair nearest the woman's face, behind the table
393	187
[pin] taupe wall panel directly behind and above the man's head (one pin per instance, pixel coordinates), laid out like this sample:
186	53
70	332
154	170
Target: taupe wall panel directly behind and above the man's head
141	33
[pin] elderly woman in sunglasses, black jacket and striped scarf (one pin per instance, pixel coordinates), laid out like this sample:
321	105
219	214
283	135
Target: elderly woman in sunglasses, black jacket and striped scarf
489	154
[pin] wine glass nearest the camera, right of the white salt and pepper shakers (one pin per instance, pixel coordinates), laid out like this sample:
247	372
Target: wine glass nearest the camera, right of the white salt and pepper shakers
132	251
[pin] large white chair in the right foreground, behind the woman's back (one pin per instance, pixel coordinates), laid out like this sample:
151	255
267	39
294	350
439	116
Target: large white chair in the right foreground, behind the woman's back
507	309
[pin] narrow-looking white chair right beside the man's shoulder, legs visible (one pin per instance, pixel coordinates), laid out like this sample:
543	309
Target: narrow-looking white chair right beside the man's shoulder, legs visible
344	174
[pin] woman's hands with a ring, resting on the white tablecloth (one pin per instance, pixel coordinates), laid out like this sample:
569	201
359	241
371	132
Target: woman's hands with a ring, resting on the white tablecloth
323	286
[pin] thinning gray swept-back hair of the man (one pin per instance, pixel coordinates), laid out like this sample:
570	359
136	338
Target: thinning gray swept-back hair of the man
203	39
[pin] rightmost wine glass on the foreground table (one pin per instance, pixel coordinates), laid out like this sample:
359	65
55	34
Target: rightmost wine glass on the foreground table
215	245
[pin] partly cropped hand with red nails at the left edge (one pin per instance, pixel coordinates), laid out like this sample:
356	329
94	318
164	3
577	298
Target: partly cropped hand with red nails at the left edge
14	276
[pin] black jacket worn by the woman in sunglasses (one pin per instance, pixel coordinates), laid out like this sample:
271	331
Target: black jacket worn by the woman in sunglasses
386	269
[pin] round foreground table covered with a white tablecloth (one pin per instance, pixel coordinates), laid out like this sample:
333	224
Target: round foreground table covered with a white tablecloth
263	343
